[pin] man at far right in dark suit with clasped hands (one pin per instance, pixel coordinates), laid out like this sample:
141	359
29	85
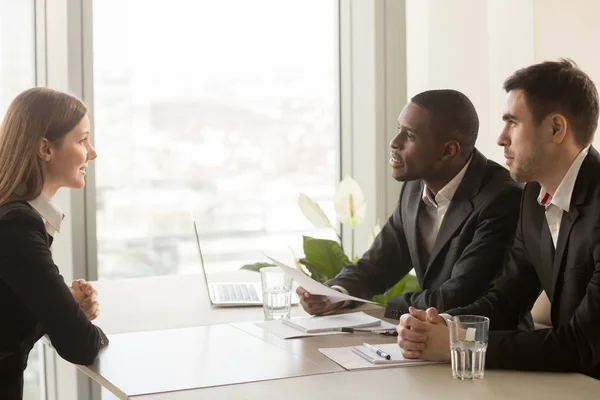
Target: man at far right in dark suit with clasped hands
550	119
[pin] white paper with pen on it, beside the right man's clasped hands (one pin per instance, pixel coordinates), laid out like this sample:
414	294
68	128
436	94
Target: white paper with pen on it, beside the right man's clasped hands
359	357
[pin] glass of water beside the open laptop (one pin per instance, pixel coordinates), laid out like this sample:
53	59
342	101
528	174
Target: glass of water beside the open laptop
277	293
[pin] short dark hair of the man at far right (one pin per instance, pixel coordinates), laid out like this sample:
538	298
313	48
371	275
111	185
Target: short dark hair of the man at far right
559	86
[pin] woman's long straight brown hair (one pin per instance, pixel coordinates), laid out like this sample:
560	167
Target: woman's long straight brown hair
33	115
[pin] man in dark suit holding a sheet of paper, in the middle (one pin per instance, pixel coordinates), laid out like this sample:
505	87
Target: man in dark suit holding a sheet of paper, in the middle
454	221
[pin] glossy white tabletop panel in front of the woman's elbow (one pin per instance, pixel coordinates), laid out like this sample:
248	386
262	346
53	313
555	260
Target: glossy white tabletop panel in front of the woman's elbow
178	359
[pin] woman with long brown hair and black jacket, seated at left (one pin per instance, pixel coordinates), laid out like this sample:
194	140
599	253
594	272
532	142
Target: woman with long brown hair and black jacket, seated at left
44	146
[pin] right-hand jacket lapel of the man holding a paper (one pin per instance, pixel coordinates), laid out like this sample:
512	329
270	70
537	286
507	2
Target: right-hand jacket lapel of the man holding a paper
461	206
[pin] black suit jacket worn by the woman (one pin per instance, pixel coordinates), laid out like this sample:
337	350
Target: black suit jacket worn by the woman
34	301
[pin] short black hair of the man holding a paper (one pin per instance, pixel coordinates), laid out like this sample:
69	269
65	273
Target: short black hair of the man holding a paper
454	115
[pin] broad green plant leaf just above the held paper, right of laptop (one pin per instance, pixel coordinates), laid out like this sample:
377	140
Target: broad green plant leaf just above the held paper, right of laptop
325	257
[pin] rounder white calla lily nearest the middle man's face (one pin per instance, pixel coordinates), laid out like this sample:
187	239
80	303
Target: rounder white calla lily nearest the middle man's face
350	206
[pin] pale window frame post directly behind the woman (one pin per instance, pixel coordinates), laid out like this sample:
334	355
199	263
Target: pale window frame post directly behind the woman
61	30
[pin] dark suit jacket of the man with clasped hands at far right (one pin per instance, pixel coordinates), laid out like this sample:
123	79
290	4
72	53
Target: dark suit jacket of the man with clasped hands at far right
570	276
